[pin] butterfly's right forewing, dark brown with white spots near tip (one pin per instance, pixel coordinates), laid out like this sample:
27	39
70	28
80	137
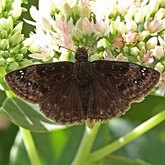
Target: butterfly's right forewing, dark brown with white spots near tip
131	80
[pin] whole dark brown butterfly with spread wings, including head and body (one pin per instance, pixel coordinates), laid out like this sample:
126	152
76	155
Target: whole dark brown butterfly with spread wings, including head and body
70	93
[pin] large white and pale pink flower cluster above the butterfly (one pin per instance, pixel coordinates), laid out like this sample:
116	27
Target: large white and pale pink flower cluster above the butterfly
130	30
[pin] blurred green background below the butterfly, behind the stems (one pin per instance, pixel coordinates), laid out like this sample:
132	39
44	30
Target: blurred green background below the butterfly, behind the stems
60	146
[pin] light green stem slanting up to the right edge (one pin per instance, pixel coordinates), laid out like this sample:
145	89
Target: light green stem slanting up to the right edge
138	131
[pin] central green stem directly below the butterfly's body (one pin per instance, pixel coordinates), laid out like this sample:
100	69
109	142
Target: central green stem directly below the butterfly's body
86	144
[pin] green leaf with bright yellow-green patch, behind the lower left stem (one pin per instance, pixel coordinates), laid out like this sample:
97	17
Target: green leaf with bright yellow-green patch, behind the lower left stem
56	147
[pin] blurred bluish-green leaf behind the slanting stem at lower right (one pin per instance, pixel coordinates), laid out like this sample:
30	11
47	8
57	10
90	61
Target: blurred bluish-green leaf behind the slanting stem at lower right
150	147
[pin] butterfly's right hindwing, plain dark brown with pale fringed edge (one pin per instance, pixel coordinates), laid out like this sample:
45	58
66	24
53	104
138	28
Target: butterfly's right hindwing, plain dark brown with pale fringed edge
104	101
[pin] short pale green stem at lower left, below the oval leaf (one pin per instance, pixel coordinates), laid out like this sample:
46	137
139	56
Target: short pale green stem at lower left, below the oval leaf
30	146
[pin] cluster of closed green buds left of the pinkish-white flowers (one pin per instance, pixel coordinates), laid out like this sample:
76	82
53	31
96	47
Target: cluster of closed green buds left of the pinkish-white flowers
12	50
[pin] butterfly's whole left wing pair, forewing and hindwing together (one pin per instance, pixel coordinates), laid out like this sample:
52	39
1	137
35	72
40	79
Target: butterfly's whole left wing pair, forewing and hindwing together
53	86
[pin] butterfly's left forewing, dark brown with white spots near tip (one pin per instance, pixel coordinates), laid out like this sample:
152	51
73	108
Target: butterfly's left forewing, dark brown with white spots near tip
33	82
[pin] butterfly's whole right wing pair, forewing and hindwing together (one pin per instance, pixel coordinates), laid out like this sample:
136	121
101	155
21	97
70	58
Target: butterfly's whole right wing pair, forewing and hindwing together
115	85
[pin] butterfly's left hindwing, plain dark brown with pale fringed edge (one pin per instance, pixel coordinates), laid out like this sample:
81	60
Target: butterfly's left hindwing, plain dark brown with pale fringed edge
63	104
